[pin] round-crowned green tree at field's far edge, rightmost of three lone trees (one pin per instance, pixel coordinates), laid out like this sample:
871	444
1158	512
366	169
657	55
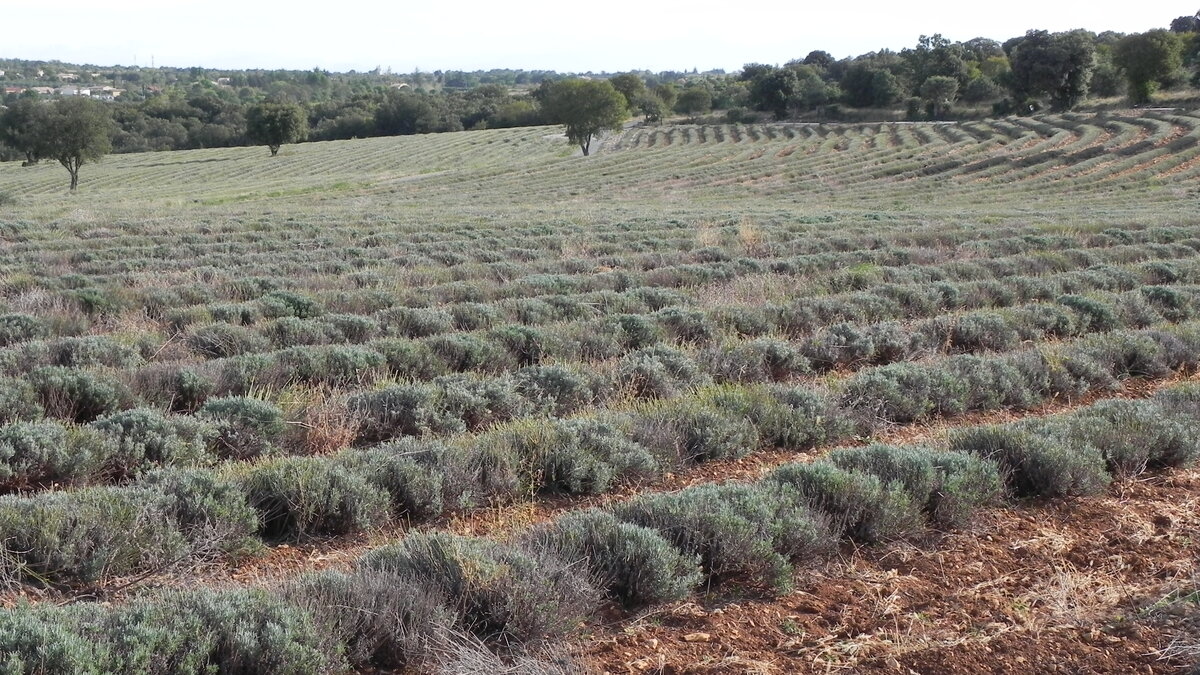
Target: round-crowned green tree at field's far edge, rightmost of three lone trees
586	107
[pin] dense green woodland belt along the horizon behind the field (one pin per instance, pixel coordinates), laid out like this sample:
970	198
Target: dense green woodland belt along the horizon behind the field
164	109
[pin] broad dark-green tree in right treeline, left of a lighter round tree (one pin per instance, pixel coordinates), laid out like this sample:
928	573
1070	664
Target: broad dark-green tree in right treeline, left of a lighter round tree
1057	65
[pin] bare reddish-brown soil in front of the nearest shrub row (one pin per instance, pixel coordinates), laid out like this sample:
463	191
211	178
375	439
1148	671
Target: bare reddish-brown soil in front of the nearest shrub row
1067	587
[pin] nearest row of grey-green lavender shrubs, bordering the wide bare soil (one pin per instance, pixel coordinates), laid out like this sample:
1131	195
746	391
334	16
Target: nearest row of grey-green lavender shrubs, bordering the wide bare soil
404	604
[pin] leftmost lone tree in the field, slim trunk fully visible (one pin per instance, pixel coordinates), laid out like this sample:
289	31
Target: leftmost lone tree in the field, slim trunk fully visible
76	132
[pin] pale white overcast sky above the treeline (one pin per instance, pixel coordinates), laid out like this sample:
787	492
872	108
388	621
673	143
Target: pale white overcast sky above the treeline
566	37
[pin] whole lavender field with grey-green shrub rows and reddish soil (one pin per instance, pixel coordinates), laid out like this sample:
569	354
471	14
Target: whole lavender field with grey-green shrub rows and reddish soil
716	399
